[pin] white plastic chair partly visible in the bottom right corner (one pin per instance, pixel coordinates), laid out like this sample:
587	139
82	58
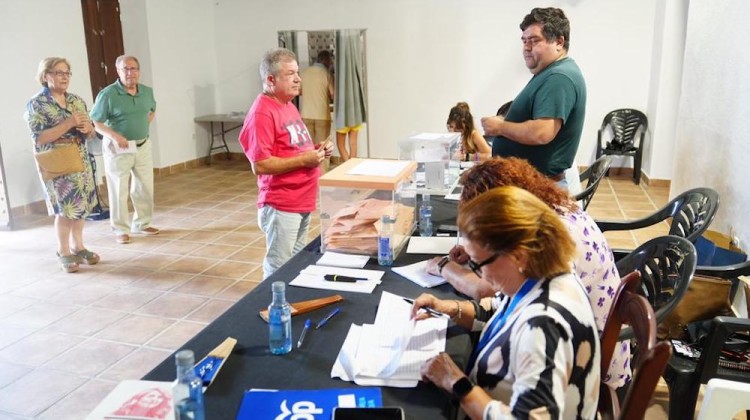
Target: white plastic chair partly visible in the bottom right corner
723	399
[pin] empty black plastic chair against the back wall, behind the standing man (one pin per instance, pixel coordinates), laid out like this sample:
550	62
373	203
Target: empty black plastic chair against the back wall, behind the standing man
625	125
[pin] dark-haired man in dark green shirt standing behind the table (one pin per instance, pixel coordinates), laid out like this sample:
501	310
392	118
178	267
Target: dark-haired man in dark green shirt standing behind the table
545	121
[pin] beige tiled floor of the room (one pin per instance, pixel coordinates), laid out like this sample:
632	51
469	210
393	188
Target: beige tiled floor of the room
67	339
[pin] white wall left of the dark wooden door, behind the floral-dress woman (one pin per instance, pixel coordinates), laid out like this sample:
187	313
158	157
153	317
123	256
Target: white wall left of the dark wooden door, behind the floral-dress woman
31	31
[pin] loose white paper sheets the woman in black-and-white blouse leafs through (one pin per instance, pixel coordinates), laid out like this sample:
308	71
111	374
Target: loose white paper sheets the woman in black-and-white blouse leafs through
391	351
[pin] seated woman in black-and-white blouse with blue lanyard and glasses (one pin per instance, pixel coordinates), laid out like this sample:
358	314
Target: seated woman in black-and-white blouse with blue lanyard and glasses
538	353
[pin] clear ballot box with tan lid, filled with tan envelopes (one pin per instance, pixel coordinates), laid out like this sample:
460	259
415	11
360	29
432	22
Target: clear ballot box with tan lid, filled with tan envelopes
353	197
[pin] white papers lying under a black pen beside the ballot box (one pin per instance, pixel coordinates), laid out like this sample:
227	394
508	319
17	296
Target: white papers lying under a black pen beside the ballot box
313	277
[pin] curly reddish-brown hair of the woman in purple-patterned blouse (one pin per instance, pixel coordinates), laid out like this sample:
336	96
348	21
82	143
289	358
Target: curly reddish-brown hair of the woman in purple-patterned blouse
499	172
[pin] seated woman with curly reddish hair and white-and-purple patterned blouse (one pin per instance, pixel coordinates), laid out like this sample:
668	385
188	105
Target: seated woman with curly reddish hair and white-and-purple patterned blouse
592	261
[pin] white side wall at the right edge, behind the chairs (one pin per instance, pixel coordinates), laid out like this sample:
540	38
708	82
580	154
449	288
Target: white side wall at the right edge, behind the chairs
712	147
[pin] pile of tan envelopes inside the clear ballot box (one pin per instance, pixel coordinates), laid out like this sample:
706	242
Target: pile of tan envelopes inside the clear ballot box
355	227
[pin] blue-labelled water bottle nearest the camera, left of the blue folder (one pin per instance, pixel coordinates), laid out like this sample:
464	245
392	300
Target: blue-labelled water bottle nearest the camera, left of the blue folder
188	390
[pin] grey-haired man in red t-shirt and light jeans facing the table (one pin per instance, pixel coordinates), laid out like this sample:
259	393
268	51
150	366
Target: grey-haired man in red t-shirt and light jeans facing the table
284	158
